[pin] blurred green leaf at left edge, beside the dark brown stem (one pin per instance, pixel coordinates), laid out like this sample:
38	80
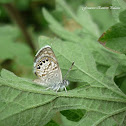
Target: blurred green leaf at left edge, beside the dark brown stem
10	49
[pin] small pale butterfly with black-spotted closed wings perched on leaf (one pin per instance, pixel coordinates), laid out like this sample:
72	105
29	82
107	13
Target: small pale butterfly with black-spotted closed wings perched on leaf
47	70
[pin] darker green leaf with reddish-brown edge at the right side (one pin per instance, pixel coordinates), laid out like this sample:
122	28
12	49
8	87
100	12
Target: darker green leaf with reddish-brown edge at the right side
115	36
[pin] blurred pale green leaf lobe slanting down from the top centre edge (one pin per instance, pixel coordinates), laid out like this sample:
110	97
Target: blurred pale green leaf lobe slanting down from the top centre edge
83	18
